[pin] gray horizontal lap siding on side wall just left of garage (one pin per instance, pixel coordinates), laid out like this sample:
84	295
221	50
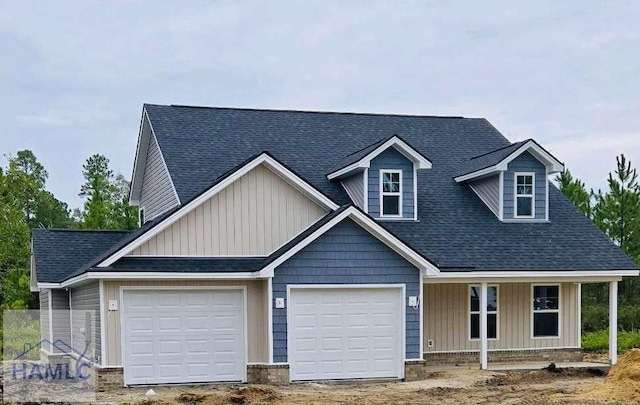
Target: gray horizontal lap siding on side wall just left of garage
86	299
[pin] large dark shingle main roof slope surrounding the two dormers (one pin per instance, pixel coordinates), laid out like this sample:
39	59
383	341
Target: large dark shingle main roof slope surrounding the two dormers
455	229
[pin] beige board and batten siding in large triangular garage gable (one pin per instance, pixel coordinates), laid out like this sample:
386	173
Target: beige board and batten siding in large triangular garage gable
254	215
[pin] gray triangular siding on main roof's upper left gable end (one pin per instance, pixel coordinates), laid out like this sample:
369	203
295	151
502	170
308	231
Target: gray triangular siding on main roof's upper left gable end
157	194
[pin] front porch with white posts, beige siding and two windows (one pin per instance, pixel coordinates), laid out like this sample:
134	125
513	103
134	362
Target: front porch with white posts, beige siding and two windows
508	322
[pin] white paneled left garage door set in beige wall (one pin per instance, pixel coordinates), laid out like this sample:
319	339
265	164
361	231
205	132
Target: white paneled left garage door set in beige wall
183	336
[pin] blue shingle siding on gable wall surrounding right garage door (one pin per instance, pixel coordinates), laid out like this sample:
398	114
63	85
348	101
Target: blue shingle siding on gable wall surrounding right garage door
346	254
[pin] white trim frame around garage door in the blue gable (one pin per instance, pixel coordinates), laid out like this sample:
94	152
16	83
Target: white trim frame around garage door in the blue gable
403	310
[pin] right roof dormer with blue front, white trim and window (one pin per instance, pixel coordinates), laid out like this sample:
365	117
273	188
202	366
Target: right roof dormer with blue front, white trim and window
513	181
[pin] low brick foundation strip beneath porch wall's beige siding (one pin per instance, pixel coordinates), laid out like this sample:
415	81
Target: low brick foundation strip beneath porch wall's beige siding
506	356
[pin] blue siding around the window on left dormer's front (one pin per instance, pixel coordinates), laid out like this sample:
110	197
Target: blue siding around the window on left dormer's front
391	159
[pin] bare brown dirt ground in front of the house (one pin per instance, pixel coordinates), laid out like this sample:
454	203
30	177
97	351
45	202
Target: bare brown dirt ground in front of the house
457	386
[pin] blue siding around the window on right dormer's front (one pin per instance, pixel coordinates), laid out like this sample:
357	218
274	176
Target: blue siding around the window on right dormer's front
525	163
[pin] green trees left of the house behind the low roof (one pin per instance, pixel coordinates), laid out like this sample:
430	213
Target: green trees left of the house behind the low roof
25	203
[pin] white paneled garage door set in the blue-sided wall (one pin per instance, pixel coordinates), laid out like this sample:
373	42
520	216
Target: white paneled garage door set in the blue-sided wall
345	333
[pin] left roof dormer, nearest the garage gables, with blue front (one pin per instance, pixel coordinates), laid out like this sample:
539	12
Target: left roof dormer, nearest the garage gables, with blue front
381	178
